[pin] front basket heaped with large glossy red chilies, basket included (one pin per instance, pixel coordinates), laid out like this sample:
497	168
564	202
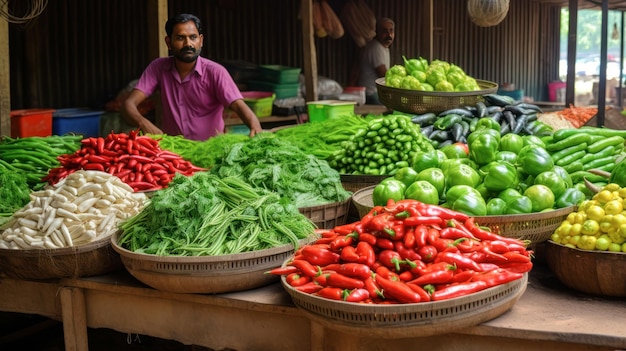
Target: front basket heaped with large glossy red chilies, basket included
407	269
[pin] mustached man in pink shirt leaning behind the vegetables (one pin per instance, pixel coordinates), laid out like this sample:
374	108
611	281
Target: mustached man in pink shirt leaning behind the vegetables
194	90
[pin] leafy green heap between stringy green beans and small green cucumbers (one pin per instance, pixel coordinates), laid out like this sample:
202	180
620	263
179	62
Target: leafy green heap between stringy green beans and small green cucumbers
270	163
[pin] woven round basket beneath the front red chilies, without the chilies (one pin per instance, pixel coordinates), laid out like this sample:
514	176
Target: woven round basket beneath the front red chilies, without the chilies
409	320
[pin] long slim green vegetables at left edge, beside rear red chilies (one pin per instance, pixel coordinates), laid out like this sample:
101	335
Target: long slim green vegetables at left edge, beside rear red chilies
33	157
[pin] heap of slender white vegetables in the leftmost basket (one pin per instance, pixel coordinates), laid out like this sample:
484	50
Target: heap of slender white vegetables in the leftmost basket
83	207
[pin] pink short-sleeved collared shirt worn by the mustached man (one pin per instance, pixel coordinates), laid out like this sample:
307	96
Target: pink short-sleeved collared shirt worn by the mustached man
193	107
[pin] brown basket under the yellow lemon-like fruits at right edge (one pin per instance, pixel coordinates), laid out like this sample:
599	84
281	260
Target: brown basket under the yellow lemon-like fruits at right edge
600	273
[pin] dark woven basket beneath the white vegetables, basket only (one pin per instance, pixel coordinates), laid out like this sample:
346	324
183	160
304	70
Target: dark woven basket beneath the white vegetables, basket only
93	258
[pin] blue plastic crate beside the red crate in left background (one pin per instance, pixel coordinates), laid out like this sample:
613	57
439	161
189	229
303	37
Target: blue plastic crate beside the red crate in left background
76	121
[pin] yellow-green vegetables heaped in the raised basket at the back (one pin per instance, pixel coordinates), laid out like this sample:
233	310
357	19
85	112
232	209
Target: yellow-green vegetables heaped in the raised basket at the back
437	75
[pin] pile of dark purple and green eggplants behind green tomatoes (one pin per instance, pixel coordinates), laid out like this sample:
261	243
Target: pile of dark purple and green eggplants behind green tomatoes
497	111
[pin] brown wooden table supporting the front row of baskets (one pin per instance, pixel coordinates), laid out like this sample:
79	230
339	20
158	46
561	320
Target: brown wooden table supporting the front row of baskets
547	316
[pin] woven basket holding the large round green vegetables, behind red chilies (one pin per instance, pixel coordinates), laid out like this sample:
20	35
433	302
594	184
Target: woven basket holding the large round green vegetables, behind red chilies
534	227
